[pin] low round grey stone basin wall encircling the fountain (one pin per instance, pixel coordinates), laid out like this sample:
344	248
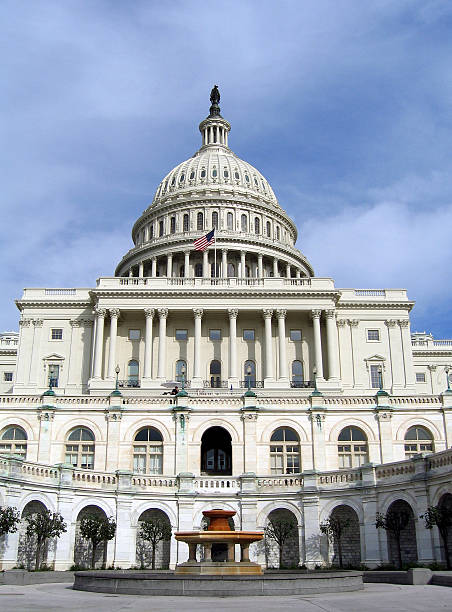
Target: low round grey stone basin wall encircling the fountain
147	583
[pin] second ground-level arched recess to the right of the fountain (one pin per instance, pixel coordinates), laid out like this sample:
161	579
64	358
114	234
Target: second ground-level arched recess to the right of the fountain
350	539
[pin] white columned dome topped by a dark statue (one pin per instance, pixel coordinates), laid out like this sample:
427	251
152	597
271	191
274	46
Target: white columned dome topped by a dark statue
215	189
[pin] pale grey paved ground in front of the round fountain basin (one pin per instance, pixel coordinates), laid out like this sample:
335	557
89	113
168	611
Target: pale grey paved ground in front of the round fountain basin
374	597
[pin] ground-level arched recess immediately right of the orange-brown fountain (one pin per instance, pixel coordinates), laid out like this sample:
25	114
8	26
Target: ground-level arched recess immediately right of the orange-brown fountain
290	549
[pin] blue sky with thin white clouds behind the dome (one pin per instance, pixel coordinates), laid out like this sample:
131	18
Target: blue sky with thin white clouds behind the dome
345	106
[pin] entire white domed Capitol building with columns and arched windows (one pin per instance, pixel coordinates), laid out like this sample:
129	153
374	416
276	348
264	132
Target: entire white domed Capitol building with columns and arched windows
296	399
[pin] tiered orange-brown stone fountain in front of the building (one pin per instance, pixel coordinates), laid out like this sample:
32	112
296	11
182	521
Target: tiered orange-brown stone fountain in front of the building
219	532
